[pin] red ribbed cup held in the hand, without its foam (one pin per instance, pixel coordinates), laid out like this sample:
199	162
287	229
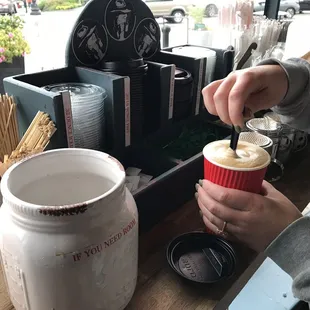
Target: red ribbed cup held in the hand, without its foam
245	179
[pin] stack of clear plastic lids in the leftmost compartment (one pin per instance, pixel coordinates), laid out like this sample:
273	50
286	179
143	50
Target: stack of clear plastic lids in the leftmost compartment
87	105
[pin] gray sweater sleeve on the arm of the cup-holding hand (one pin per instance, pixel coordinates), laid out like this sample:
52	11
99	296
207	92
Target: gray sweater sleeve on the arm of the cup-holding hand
291	251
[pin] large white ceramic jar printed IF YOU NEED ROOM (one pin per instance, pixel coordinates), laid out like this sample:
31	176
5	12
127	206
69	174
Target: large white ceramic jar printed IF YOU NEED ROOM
69	232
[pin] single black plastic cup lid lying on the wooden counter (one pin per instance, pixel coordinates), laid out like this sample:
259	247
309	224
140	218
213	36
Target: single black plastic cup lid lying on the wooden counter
201	257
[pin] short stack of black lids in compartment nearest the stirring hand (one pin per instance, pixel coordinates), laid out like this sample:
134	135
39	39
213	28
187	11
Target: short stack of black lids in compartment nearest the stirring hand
183	94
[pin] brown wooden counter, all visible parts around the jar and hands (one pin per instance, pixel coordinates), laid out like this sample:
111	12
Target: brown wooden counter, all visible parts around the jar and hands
159	288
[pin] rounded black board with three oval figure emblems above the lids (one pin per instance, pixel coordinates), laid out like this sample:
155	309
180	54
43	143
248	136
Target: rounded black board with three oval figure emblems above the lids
113	30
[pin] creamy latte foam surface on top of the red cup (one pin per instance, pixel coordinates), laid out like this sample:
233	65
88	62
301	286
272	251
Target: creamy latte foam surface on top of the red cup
248	156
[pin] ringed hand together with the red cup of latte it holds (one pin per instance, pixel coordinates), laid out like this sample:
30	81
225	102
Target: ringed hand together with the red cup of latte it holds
235	201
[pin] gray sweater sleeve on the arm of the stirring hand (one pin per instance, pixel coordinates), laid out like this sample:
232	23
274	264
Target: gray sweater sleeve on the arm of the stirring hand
294	110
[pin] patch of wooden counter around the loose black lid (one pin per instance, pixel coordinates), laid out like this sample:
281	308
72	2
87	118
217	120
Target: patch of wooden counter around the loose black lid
159	288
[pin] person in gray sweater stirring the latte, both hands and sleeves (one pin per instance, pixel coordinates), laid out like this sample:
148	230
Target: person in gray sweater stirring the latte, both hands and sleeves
265	221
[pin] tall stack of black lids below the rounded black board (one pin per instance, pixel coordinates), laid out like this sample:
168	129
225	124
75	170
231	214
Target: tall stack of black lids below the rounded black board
136	70
